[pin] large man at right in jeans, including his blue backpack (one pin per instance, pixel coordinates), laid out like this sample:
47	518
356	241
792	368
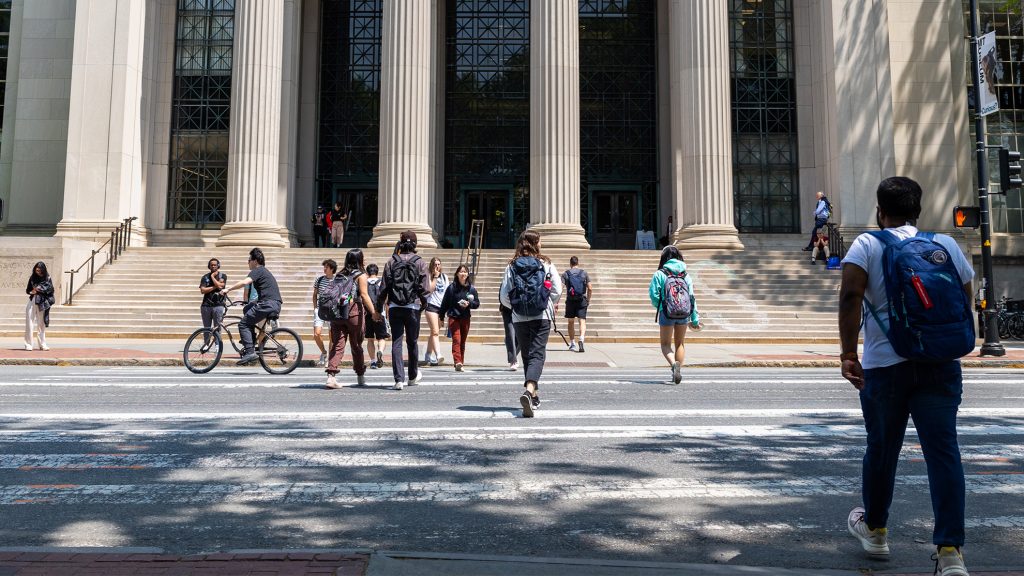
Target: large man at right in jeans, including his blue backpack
912	293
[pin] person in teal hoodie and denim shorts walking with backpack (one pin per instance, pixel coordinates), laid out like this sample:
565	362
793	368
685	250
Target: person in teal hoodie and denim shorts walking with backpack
671	294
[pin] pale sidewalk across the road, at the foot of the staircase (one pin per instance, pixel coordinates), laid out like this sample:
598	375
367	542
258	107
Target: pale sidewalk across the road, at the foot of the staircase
118	352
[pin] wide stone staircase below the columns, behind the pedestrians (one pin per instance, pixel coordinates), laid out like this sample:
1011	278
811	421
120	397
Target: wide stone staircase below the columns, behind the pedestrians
762	296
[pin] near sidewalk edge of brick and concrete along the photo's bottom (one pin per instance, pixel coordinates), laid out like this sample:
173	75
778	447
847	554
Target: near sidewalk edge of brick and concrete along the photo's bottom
124	562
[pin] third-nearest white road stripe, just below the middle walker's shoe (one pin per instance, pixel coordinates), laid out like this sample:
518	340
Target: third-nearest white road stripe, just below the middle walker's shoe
526	433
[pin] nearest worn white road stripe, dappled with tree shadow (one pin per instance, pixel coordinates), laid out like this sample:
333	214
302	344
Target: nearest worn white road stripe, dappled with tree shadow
564	489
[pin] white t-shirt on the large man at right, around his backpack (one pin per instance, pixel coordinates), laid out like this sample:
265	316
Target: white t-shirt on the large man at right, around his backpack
867	254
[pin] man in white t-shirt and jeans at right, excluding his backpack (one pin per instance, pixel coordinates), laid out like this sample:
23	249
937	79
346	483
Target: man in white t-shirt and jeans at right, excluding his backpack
893	389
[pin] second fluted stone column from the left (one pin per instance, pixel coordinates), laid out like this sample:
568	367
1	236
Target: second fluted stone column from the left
404	190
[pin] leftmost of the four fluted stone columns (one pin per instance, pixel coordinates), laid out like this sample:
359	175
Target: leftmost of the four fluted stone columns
255	134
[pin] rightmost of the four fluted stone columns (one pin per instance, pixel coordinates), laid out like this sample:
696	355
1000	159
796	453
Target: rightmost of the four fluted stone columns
702	133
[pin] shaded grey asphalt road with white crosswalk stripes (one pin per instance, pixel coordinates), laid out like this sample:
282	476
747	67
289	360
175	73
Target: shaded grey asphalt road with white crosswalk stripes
747	467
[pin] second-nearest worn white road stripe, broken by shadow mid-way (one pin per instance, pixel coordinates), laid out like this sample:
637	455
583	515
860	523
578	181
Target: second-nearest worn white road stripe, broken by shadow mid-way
318	458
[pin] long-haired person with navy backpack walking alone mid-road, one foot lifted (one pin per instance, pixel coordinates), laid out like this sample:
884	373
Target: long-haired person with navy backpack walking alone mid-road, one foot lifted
531	287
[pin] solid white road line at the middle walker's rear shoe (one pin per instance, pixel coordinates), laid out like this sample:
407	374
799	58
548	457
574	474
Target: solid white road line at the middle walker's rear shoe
483	414
